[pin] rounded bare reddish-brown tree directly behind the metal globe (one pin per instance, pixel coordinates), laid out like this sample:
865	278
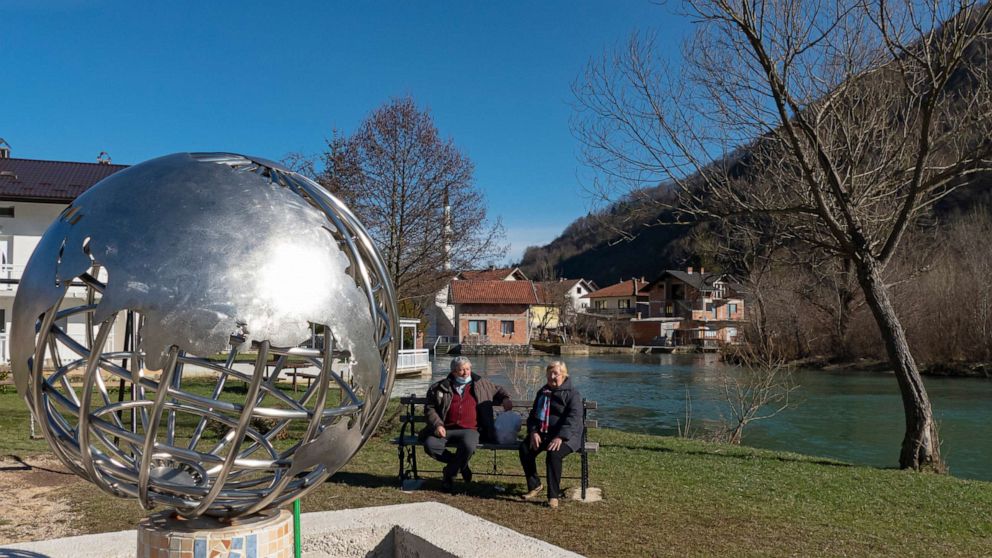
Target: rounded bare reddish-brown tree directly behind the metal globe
415	193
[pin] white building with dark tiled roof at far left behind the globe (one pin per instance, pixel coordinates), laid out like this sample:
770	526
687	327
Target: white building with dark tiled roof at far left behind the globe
32	194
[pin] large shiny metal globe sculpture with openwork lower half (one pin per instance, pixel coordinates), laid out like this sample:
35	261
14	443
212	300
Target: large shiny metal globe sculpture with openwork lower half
160	312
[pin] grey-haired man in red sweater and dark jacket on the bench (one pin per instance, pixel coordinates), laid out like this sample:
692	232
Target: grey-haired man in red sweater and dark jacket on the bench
459	408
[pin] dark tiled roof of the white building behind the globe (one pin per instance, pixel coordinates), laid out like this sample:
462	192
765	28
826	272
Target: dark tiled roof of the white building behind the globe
49	181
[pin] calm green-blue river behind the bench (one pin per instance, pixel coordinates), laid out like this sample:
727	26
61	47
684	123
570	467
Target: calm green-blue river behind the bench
851	416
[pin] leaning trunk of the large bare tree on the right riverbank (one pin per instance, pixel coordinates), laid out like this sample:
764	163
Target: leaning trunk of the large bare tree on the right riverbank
920	445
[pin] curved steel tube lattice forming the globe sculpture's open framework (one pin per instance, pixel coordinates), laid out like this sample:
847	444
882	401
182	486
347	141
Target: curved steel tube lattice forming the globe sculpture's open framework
156	462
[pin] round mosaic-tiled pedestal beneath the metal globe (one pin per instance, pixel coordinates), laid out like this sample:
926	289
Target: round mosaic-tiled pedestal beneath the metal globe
267	534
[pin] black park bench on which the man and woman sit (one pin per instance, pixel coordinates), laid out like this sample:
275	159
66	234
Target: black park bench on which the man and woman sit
413	420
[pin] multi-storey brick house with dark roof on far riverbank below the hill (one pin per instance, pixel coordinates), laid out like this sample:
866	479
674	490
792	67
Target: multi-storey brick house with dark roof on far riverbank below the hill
690	308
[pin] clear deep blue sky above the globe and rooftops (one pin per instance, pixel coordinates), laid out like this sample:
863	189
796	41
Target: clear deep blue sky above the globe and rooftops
266	79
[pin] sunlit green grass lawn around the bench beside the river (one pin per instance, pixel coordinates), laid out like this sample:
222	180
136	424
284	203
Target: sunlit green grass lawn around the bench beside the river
662	497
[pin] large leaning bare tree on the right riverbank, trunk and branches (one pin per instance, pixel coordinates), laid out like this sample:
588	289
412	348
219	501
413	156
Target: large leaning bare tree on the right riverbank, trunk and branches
856	116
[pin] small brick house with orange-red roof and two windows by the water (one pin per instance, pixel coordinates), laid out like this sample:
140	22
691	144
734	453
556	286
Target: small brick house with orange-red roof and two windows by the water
492	313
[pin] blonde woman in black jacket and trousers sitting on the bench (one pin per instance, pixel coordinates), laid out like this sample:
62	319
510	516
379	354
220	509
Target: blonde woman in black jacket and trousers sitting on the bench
554	425
